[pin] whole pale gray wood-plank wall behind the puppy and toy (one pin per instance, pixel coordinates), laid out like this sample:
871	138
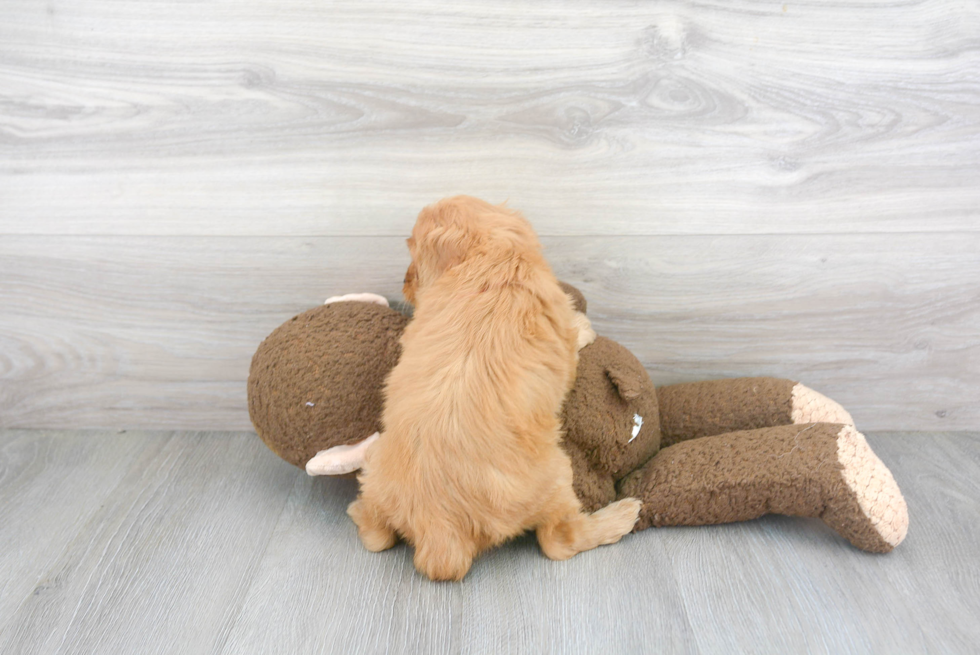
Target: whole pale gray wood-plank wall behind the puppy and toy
740	188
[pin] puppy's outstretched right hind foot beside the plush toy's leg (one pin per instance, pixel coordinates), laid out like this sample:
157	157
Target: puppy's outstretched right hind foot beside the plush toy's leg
578	532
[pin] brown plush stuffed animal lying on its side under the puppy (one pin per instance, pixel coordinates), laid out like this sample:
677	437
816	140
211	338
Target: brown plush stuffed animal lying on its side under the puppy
694	454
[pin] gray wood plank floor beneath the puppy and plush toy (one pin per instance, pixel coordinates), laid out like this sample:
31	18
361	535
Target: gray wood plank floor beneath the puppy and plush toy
205	542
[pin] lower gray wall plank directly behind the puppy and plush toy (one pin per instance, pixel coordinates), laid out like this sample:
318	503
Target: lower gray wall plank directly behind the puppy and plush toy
159	332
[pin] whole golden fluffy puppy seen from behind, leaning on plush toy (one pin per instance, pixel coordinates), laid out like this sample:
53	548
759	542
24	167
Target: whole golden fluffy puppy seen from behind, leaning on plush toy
470	453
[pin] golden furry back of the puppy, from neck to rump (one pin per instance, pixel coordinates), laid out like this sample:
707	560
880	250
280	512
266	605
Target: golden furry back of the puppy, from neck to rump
474	399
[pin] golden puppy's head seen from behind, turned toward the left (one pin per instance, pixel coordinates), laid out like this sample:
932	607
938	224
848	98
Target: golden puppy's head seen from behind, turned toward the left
453	229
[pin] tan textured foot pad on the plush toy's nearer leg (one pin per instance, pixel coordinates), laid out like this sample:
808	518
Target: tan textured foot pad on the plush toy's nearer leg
872	483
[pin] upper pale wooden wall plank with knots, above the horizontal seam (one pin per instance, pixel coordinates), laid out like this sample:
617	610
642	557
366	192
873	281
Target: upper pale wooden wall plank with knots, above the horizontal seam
300	117
